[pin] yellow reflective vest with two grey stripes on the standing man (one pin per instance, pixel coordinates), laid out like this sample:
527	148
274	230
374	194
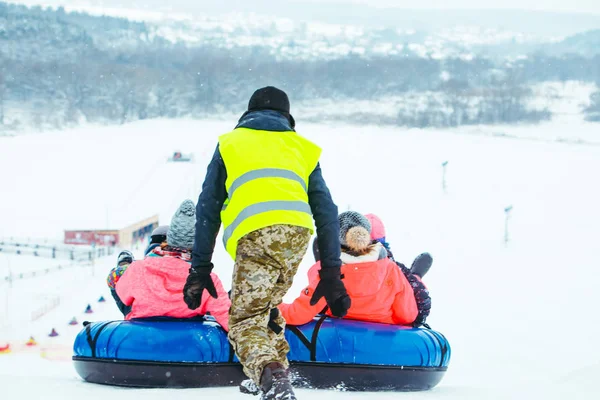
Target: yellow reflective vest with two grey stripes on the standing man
267	181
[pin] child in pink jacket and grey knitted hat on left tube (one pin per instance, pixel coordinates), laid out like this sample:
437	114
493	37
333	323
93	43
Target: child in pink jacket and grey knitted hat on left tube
152	287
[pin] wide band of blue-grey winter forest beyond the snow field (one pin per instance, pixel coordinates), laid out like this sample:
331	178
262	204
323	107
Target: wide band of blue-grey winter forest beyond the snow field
59	69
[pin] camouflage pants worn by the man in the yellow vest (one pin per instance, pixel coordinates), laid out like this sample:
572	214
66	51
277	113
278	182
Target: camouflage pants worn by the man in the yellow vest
265	265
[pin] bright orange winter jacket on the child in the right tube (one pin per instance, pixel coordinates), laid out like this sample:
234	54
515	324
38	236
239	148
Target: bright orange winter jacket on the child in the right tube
378	289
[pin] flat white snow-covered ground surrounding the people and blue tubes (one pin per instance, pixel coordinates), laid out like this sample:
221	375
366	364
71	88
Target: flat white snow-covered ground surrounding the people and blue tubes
520	317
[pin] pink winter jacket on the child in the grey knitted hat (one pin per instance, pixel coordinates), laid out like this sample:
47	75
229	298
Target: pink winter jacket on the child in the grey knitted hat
153	287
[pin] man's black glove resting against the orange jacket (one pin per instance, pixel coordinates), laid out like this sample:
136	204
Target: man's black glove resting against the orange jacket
332	287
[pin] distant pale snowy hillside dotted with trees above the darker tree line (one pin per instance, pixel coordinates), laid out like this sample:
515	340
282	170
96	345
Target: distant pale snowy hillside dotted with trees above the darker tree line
292	34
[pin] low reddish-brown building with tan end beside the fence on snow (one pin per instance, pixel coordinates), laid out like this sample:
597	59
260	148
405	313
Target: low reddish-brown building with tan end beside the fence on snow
125	237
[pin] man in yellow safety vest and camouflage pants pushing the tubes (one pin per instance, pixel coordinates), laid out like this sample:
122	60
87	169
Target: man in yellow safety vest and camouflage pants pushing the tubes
264	184
